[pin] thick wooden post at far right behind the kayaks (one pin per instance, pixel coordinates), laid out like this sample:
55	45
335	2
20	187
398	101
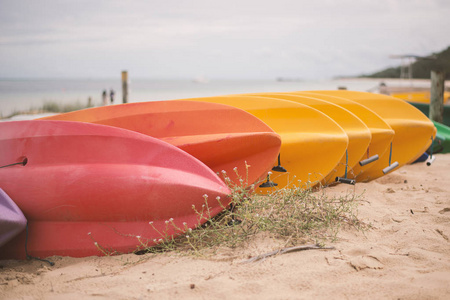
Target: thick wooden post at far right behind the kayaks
437	96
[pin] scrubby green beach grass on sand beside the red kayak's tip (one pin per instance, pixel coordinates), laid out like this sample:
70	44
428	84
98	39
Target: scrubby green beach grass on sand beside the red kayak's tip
291	216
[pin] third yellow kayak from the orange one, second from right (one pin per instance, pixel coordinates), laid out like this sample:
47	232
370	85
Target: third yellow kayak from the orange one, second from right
382	135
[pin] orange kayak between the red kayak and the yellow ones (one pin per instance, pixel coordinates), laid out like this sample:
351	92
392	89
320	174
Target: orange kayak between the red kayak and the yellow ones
225	138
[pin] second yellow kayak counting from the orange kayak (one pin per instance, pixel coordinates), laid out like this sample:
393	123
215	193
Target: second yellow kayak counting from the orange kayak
358	133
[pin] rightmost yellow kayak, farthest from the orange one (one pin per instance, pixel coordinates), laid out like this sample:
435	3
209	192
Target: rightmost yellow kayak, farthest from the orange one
413	130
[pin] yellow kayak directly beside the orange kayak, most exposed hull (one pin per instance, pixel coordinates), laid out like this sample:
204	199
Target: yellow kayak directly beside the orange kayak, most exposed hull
312	144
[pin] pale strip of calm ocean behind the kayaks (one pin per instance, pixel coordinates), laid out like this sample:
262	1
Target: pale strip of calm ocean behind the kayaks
22	95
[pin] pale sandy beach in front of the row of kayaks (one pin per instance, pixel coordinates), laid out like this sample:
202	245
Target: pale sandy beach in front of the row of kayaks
405	255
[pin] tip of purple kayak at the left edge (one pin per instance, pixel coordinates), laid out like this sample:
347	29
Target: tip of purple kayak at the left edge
12	220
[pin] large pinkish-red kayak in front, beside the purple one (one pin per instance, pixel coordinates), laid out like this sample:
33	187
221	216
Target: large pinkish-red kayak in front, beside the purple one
90	189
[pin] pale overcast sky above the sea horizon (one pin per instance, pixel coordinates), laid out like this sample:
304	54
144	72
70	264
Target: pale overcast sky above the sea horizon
232	39
